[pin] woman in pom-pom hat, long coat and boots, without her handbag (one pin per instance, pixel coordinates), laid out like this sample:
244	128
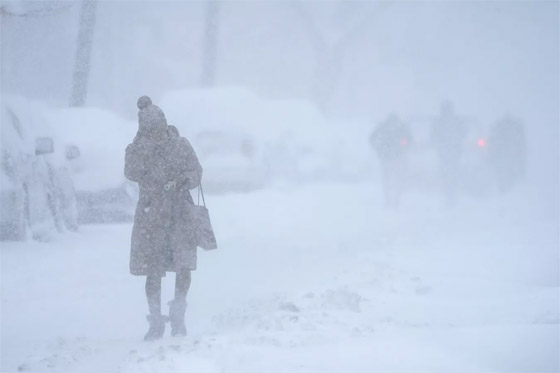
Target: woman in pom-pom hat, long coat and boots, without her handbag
165	167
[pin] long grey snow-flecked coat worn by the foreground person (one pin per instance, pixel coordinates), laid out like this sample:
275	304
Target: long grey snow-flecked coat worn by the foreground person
162	236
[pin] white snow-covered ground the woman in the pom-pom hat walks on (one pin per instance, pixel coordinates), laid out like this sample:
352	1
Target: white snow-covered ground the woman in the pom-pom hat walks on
317	278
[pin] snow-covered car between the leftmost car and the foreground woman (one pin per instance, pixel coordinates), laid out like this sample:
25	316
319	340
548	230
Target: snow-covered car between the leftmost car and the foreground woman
100	137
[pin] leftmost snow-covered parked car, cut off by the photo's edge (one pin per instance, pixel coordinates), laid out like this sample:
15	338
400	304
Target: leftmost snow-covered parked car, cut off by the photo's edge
36	192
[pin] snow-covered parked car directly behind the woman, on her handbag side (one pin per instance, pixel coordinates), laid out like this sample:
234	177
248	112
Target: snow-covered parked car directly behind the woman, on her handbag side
217	123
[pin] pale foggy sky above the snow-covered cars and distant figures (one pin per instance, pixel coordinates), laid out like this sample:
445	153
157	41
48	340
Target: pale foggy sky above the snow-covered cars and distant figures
490	57
